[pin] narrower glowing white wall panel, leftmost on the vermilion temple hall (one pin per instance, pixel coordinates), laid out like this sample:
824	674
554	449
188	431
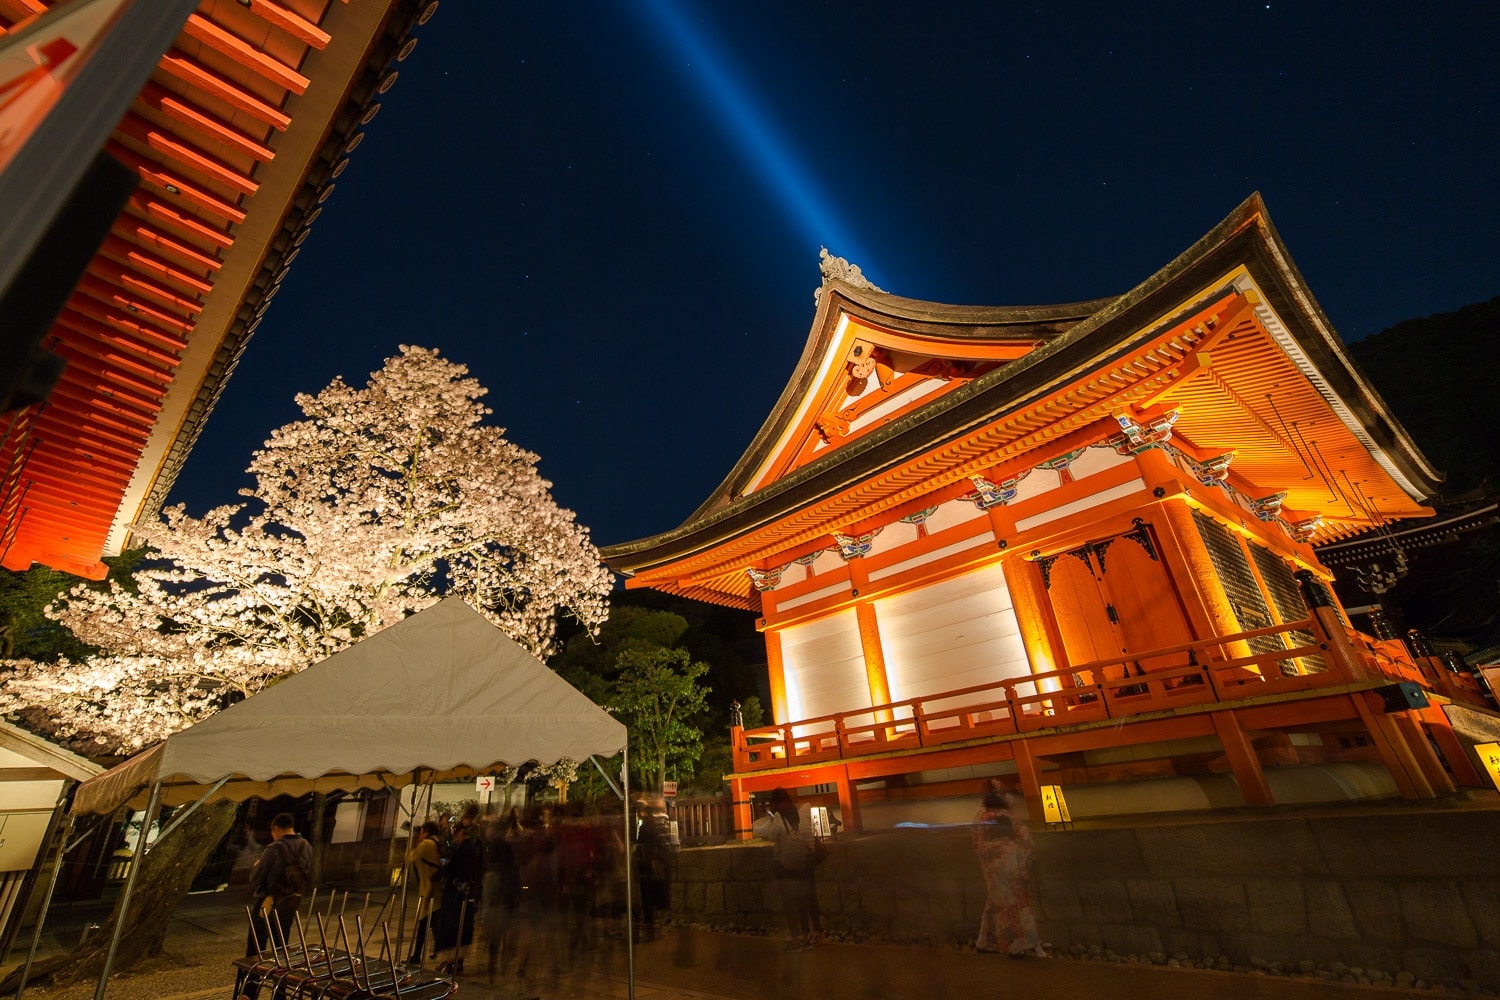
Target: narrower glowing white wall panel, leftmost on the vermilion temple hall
824	668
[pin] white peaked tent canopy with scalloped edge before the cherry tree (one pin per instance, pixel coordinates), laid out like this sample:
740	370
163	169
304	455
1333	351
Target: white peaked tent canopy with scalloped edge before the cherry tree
442	695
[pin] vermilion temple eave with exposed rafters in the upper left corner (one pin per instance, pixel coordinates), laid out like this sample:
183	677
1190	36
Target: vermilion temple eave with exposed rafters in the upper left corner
236	143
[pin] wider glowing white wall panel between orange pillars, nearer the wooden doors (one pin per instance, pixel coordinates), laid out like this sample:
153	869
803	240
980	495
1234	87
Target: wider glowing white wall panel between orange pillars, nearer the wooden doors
952	635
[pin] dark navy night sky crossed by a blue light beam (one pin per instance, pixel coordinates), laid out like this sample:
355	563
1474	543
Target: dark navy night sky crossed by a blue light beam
611	212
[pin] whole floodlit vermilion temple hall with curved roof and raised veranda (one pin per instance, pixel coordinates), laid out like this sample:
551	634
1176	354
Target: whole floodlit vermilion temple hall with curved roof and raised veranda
1070	543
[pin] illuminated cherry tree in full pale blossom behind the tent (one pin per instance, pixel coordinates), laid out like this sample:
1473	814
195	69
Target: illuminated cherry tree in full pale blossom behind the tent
374	506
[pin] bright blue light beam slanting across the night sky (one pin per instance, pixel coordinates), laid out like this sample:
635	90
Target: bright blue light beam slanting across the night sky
733	107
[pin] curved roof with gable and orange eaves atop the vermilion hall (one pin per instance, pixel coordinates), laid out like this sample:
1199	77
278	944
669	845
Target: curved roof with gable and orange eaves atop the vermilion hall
1228	337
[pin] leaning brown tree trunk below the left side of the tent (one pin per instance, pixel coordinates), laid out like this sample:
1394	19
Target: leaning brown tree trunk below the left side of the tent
166	878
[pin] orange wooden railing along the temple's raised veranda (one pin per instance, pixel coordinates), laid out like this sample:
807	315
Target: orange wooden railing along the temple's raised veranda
1090	692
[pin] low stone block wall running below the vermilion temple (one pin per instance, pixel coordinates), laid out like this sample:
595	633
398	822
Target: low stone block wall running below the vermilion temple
1415	893
